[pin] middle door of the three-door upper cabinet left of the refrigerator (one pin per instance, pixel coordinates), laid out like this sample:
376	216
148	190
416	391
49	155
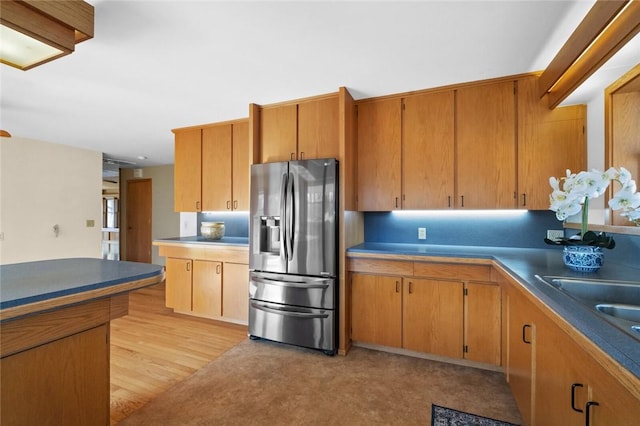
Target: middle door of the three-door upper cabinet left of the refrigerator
216	168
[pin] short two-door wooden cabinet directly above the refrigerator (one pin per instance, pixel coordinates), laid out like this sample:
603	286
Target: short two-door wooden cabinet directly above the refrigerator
299	130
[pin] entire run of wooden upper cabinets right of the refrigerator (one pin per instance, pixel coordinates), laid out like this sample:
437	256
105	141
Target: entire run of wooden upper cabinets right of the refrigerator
485	145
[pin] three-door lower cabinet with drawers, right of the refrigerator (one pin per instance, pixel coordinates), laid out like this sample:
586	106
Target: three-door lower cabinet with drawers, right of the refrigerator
447	317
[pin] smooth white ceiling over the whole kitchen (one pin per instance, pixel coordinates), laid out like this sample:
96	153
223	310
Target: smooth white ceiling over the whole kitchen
157	65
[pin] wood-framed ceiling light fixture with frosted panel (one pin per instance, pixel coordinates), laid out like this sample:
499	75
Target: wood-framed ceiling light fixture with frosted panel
35	32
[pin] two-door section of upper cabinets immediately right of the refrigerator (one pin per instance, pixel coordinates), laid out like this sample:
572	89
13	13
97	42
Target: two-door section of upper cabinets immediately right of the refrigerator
405	153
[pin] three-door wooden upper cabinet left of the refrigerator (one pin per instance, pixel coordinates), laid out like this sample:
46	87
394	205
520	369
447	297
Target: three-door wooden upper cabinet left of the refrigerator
211	171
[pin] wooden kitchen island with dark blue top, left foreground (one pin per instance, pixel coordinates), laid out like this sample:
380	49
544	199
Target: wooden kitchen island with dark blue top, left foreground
54	333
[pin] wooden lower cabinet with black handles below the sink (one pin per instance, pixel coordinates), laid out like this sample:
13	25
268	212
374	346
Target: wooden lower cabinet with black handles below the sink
554	380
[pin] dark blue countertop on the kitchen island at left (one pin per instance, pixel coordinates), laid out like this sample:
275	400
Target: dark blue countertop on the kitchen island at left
29	282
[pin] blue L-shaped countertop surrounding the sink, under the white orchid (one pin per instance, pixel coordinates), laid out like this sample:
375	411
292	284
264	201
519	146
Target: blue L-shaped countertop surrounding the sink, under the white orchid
524	264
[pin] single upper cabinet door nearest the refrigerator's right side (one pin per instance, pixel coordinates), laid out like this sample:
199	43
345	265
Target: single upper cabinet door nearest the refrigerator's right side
379	155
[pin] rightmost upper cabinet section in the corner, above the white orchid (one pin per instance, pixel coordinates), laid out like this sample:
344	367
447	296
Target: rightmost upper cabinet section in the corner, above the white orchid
549	143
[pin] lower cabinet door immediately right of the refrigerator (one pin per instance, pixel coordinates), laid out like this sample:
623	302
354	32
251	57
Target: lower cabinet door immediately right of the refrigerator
376	315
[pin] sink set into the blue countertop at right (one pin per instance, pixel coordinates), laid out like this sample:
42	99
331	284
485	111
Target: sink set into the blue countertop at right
618	302
